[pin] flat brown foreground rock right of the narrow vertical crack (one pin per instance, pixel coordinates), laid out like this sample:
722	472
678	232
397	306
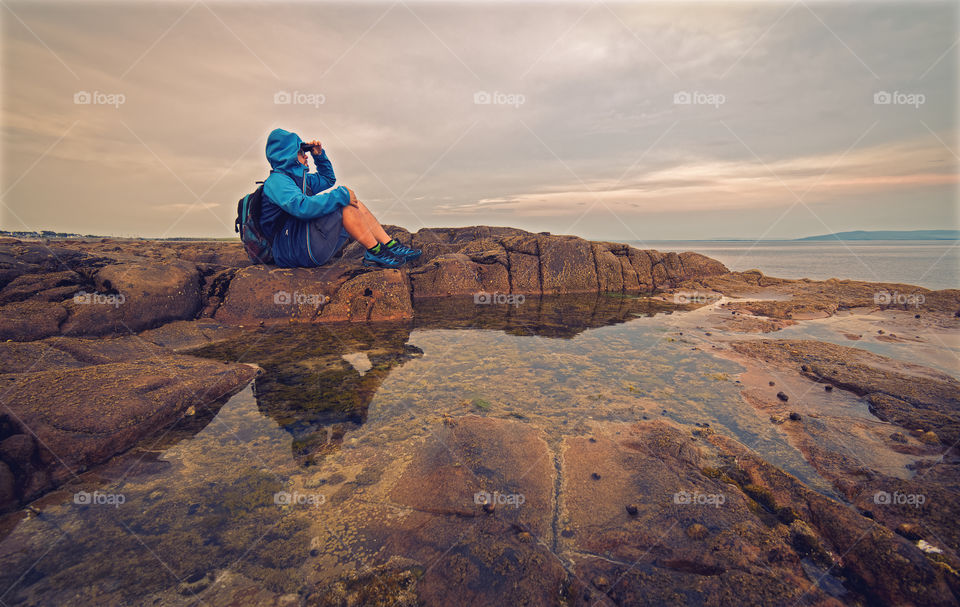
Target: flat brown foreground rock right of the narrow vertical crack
692	539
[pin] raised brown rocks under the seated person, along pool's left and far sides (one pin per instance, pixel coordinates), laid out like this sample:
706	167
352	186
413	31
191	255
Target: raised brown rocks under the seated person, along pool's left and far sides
139	297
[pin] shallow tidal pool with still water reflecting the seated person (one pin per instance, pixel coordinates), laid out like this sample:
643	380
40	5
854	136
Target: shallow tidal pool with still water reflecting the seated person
250	488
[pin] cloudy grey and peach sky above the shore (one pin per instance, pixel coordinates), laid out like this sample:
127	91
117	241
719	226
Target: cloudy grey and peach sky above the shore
605	119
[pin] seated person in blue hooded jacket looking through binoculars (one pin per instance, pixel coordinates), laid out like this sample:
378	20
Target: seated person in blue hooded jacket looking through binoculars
311	217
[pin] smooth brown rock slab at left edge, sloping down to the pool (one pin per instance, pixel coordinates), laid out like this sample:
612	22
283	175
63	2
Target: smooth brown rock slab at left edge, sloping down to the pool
71	418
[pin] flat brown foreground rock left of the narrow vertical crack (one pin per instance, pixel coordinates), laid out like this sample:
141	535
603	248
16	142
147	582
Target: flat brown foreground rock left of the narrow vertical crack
427	505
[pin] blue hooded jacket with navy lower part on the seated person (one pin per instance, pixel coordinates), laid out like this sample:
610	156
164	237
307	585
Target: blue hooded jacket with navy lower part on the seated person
292	197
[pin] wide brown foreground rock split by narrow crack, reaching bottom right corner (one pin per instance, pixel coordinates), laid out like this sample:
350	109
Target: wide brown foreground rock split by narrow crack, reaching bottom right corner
709	523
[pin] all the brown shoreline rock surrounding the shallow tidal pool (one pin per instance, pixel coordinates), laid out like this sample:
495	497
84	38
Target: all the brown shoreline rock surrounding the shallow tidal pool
100	352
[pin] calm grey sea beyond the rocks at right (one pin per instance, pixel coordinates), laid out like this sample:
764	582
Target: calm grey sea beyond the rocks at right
934	264
